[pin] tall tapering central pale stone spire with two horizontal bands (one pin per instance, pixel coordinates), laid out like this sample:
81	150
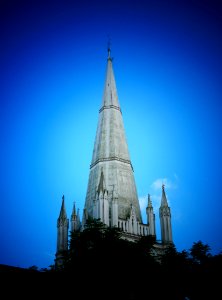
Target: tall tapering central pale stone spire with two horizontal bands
111	153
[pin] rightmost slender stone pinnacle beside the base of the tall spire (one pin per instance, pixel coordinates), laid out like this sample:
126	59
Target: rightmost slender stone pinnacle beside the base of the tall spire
165	219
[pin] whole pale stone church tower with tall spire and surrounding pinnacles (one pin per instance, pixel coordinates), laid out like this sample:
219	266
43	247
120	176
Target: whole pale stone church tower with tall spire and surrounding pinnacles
111	193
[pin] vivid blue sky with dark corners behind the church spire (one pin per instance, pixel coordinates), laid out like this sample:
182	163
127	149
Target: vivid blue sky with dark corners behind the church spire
167	64
